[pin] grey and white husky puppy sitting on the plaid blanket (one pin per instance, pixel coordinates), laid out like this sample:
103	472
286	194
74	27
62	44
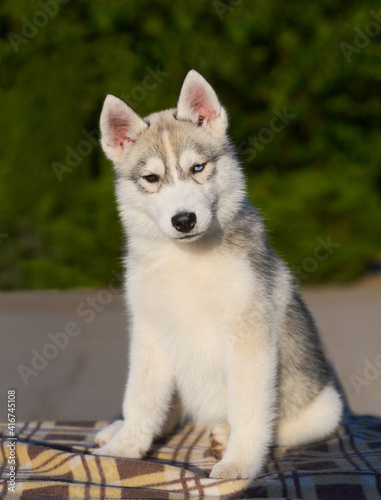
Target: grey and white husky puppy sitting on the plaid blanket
218	331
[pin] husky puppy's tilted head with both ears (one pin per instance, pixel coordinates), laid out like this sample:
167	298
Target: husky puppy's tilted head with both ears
176	174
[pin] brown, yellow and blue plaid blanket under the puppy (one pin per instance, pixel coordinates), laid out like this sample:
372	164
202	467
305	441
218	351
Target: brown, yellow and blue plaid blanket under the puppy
53	461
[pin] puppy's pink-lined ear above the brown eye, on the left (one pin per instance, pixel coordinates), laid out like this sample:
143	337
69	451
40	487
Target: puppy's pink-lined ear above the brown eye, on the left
120	126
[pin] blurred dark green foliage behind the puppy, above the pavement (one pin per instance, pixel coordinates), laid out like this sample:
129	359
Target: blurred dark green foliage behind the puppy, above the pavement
318	176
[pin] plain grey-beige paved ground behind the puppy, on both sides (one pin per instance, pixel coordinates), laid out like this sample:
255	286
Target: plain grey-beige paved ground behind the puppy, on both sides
65	352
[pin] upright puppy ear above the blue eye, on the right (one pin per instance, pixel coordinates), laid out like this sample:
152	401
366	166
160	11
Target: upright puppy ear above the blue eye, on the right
199	103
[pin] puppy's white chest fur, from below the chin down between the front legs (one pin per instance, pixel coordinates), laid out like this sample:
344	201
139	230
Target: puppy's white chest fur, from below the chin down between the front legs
192	301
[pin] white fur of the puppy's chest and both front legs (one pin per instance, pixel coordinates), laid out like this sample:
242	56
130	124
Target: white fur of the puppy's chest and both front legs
196	340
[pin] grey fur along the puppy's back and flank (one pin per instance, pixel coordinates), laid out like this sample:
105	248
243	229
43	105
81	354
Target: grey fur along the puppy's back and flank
304	369
